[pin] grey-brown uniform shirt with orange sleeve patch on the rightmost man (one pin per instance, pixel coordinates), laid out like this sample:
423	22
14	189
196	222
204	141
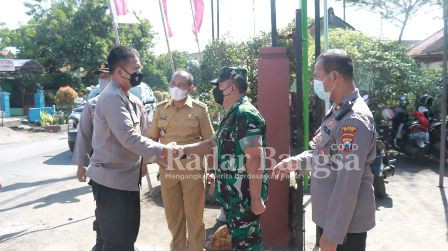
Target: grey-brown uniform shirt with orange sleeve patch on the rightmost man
341	189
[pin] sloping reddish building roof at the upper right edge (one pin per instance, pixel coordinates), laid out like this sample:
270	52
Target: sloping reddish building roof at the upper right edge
431	46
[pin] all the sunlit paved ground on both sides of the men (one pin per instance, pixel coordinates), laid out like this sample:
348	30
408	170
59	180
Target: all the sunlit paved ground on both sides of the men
43	206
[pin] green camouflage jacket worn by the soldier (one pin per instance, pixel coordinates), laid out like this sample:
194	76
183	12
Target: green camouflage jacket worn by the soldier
241	128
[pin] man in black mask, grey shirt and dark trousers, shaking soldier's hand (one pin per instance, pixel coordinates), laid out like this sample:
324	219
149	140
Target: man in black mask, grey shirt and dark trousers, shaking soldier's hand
118	145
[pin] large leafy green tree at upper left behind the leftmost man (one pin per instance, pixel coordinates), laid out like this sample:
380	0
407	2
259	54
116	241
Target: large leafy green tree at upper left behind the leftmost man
68	36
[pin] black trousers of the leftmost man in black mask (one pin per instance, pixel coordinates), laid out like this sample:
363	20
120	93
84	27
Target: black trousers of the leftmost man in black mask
118	217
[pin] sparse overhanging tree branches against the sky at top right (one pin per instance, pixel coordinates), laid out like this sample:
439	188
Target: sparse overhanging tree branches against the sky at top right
398	12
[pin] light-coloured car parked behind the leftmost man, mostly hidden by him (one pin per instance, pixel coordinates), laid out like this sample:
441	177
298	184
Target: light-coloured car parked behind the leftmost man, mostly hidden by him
142	91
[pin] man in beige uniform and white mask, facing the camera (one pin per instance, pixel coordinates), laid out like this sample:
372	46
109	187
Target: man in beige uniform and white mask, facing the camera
183	120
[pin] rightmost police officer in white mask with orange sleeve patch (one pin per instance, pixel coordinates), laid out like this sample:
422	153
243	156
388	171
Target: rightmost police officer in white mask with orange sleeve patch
343	202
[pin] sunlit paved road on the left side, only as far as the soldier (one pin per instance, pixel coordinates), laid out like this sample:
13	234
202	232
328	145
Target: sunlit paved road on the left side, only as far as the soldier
44	207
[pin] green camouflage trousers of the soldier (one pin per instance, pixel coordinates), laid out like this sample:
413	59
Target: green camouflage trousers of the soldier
244	228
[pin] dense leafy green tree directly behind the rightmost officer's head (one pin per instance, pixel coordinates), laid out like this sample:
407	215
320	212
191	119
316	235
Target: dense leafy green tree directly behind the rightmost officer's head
384	69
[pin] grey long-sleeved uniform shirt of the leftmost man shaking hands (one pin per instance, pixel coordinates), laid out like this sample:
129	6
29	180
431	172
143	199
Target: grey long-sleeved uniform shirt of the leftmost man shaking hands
117	141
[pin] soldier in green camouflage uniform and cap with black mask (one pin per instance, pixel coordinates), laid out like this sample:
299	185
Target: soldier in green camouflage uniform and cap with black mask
241	176
